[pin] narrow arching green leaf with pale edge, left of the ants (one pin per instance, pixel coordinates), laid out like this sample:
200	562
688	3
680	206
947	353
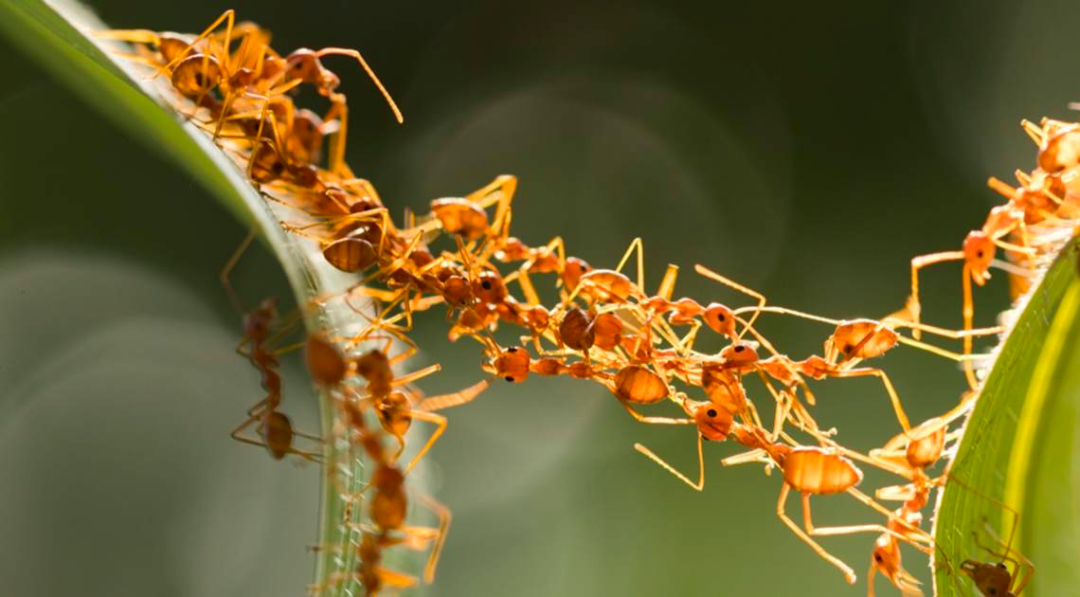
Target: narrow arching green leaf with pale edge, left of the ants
58	36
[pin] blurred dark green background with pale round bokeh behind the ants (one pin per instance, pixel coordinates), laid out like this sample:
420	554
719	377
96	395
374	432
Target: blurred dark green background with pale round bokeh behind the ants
805	152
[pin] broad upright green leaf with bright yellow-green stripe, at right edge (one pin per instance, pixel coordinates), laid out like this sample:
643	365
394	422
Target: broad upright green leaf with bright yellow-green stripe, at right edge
1020	449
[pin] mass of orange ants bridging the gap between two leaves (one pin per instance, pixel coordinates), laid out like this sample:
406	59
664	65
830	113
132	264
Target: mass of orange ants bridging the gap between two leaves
605	329
